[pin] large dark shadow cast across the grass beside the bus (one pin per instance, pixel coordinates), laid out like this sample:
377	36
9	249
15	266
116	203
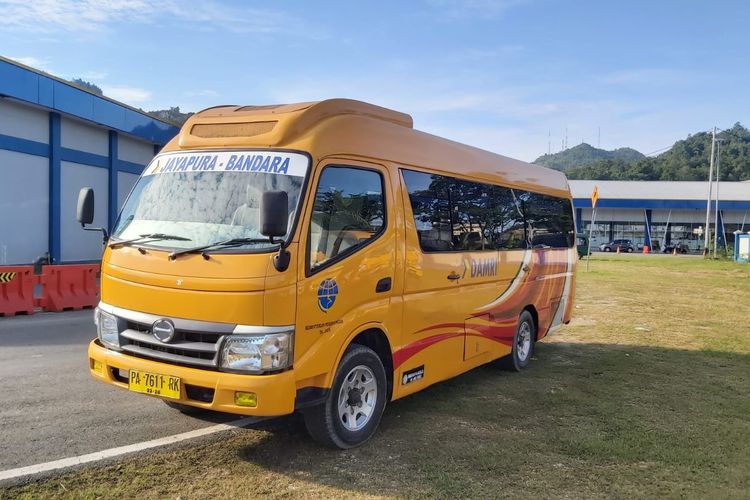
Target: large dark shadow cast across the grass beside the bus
589	405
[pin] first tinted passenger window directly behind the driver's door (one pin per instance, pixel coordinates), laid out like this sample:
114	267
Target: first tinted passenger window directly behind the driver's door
431	206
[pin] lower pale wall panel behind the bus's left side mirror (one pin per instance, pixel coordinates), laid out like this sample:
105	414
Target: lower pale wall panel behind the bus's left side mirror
77	244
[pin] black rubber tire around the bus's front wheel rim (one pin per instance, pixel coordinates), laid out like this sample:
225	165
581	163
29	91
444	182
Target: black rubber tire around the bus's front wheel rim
324	422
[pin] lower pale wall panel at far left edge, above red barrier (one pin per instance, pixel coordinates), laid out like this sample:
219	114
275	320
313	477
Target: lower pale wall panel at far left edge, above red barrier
24	207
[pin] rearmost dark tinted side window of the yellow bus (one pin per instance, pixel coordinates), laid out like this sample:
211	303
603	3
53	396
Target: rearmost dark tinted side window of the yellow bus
549	220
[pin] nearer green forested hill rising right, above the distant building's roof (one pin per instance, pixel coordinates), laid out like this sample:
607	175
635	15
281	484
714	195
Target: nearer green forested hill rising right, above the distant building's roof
686	160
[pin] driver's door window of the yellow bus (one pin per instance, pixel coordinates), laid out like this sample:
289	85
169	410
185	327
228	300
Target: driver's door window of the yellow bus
349	211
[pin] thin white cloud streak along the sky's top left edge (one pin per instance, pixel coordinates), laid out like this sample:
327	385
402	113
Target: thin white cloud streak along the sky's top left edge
87	16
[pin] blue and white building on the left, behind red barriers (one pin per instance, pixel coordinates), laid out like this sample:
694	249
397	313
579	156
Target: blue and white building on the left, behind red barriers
54	139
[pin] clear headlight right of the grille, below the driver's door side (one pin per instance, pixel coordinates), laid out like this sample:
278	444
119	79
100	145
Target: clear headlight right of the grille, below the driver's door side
257	353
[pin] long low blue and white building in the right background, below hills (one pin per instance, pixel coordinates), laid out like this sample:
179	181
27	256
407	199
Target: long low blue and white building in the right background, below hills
660	213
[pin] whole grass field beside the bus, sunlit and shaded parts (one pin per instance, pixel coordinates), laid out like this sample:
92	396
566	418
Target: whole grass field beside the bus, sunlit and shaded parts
646	393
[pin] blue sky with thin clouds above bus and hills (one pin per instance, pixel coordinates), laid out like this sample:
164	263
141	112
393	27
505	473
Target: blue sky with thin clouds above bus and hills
497	74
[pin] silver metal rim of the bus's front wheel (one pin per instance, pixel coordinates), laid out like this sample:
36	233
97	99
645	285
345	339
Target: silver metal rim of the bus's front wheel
357	398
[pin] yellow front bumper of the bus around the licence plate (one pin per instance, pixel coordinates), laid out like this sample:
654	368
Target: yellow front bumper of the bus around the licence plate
209	389
